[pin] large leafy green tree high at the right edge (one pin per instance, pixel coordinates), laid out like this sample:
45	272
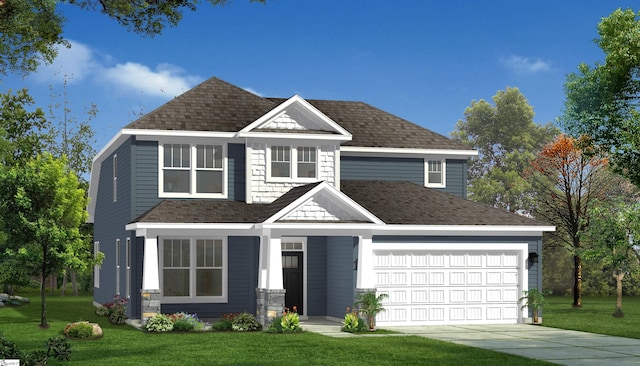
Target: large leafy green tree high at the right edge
602	101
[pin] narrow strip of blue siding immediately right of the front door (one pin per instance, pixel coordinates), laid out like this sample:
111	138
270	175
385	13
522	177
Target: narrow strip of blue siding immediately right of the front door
316	276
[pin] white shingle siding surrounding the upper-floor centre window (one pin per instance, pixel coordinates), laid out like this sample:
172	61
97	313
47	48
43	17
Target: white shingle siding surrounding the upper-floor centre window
263	191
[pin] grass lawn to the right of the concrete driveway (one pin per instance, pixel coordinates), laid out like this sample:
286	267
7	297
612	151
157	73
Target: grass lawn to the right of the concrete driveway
595	316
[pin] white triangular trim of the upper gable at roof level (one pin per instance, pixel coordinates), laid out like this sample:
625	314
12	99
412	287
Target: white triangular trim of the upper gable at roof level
306	106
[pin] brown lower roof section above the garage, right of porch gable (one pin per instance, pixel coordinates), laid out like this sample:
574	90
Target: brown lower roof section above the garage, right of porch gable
411	204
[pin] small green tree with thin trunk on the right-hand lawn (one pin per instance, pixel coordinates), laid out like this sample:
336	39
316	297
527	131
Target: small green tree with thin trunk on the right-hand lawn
614	230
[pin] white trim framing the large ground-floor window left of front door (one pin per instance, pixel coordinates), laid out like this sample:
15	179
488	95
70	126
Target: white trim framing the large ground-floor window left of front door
192	298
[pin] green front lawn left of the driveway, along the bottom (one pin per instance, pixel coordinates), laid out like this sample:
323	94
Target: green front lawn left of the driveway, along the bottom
124	345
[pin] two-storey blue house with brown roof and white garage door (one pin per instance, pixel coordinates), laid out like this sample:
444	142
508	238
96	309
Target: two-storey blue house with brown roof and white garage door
223	201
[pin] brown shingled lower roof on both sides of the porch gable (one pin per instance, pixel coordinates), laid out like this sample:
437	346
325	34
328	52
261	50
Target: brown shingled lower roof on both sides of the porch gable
392	202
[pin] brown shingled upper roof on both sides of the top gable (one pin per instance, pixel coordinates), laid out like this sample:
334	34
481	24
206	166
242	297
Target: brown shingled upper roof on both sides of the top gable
216	105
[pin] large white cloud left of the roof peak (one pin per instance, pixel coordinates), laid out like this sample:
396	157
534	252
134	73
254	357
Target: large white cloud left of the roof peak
80	62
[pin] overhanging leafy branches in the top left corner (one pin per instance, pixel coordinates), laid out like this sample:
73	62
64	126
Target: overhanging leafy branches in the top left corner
32	29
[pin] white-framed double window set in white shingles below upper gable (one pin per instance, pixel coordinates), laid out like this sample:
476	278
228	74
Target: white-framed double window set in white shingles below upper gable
292	163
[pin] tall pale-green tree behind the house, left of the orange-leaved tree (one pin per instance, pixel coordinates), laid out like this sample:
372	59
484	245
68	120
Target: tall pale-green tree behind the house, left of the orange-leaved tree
506	139
